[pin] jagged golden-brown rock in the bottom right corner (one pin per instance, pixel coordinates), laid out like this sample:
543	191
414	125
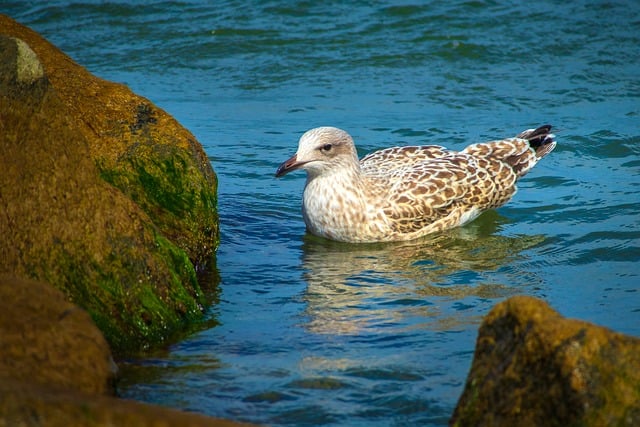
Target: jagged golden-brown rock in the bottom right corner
534	367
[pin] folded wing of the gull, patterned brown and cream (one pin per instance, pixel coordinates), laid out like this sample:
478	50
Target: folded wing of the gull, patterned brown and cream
440	189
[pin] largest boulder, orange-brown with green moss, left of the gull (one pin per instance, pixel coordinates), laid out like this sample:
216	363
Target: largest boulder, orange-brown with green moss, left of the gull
109	251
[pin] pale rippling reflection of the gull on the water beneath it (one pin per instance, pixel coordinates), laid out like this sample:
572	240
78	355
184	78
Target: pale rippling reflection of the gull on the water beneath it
352	287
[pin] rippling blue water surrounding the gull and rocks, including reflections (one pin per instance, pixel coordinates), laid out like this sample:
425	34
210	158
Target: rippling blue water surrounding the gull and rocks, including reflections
311	332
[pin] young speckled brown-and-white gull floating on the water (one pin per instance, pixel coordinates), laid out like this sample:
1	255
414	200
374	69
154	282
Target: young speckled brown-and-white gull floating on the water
402	193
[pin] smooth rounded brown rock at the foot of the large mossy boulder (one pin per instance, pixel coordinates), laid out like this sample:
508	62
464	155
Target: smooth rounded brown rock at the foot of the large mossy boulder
48	341
